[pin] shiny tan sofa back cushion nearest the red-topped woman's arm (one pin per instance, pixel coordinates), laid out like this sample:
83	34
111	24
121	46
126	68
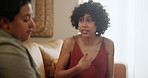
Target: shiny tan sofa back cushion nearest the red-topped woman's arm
50	51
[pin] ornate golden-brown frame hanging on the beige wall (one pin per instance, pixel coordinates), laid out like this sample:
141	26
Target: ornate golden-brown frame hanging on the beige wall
43	18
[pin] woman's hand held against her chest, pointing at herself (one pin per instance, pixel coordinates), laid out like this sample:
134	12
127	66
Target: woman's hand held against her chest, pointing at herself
84	62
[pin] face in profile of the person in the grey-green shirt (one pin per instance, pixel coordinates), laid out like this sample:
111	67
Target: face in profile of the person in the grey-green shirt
21	26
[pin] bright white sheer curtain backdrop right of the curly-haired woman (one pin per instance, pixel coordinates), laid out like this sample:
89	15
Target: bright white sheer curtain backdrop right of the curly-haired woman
129	31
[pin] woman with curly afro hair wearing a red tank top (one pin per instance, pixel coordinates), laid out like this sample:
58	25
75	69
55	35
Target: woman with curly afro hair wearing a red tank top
87	55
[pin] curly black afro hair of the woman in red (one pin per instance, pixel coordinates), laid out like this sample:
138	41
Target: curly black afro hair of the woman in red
97	12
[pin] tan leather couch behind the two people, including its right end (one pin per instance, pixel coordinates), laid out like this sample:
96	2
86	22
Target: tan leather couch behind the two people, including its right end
46	55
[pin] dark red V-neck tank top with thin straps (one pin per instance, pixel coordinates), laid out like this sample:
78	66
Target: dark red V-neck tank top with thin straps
98	68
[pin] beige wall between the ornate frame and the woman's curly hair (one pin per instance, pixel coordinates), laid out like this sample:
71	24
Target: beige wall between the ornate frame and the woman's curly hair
62	27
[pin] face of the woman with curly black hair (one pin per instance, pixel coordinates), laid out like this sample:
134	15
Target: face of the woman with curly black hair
87	25
